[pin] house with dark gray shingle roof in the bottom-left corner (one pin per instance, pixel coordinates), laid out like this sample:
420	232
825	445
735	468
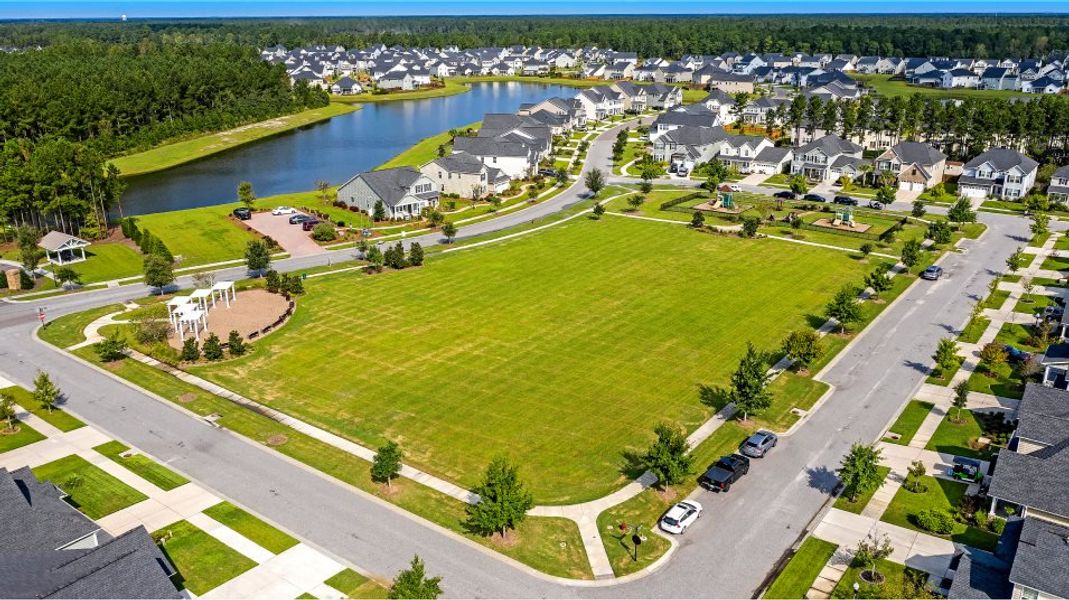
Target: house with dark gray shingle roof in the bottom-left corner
53	551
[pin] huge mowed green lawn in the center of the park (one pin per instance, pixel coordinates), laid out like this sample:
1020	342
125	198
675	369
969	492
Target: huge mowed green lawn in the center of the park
562	349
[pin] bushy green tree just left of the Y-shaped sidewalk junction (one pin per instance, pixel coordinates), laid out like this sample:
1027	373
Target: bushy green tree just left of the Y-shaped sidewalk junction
504	500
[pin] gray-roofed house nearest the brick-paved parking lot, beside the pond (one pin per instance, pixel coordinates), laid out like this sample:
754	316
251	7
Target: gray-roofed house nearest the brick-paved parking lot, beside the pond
404	192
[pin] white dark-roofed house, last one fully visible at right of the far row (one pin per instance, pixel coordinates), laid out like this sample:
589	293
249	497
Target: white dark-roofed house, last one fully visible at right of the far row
1000	173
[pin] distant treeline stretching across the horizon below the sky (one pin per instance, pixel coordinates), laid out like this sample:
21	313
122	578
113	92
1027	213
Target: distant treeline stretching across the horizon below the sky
671	37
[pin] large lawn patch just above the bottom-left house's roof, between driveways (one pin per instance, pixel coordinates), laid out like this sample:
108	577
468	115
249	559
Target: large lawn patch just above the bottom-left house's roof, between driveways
91	490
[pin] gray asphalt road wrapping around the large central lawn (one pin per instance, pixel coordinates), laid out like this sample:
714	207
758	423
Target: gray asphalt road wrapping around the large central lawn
727	555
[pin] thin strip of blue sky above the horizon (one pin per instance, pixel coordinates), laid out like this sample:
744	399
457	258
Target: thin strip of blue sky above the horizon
135	9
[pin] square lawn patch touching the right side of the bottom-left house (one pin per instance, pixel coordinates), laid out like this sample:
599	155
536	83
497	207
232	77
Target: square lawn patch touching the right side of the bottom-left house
204	562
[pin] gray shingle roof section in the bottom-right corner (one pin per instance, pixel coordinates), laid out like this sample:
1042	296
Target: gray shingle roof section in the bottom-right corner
1042	558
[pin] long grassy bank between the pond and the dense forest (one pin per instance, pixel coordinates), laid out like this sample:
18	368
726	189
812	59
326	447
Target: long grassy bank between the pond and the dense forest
181	152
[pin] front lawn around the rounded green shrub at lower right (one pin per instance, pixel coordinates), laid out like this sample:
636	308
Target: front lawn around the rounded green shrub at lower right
940	495
